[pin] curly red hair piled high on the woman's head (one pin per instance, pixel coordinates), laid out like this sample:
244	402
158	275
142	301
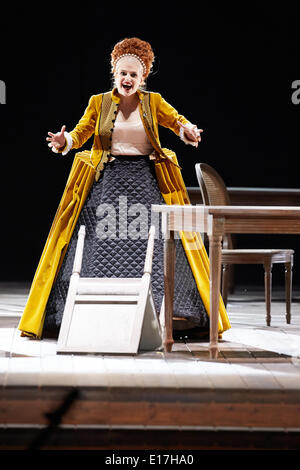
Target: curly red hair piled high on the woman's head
134	46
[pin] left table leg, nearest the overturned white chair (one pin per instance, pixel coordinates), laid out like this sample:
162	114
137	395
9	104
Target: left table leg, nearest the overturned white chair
169	273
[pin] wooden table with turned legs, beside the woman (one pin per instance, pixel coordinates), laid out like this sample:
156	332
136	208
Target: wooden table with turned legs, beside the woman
216	221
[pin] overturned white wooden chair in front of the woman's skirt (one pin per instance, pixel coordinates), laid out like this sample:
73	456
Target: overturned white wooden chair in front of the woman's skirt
110	315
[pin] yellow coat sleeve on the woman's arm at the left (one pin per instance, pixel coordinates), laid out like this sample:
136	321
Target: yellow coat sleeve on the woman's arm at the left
87	124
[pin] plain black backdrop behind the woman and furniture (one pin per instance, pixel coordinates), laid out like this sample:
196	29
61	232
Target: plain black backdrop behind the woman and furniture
227	67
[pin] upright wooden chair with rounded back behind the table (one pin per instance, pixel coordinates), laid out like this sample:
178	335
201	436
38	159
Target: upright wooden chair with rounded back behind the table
214	192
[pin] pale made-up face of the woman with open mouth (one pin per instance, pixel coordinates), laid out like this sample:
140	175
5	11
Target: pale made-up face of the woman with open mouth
128	76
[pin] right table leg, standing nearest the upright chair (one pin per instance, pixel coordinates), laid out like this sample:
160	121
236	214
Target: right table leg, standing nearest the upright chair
215	253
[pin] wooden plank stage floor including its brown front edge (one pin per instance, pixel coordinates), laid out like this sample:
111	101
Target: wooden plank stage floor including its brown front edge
253	386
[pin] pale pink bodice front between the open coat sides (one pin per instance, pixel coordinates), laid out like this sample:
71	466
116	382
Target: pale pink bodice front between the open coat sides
130	138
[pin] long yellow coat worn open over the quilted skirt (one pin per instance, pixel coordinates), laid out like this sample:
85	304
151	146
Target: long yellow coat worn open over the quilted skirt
98	119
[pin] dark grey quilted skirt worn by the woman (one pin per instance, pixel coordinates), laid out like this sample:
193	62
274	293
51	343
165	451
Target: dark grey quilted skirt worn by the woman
117	216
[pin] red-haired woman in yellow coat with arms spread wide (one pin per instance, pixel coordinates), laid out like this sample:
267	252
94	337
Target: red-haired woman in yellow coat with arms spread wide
126	161
